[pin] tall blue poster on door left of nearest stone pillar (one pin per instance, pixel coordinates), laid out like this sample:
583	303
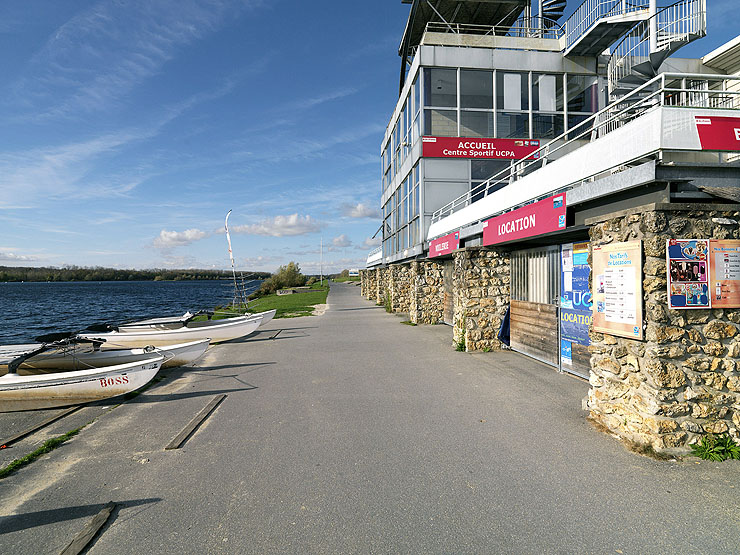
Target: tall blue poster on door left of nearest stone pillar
575	298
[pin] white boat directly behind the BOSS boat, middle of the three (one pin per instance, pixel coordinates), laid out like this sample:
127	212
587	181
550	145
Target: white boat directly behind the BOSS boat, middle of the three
65	356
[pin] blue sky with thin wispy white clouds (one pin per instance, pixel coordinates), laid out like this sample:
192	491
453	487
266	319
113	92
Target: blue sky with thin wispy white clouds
129	128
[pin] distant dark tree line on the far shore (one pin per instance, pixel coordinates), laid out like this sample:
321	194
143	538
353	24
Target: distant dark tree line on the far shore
97	273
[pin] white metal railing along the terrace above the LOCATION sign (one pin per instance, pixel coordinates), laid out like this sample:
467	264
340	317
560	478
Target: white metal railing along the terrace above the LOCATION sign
667	89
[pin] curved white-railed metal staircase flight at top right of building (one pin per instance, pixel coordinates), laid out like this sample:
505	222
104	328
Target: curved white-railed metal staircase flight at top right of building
638	57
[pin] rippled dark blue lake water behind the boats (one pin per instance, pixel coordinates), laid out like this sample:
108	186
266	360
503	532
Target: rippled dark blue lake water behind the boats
32	309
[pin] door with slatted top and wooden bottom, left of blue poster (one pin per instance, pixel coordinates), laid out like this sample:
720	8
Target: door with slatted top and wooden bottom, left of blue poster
535	289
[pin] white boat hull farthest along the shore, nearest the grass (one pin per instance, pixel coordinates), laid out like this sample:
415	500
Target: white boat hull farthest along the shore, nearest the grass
217	331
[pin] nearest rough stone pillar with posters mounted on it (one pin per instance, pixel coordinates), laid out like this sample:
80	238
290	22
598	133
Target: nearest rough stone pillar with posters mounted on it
683	381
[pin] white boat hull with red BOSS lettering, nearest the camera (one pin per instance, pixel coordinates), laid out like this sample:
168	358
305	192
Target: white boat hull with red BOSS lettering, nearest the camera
18	393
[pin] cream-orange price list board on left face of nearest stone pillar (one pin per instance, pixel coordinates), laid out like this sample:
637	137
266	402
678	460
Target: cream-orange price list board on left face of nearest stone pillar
617	285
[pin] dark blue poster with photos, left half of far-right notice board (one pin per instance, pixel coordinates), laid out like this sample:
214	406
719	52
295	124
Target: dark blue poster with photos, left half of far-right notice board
687	265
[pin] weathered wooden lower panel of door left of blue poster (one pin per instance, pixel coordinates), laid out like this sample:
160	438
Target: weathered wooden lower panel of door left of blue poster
534	330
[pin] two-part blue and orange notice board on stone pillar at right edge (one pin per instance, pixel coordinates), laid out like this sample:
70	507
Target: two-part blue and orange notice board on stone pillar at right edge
703	273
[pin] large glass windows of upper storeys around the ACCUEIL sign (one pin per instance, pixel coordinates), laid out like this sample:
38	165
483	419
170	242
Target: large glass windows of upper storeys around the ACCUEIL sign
456	102
